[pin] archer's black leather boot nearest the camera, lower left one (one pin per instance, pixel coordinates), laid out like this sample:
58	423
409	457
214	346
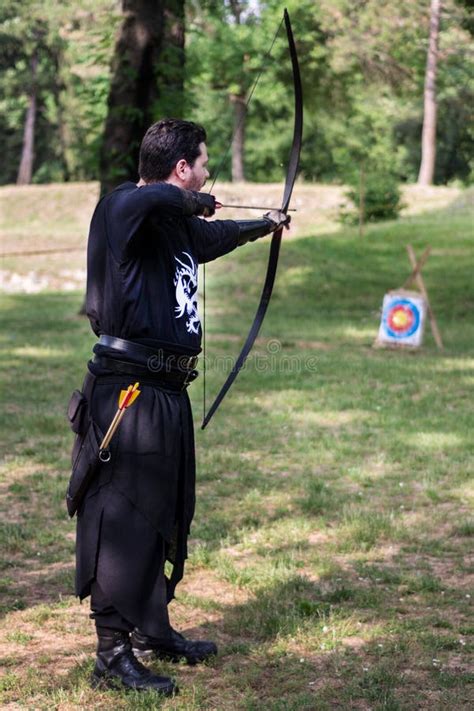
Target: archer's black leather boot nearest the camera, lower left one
117	666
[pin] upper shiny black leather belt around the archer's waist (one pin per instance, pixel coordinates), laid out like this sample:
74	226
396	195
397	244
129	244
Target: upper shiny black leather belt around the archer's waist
158	359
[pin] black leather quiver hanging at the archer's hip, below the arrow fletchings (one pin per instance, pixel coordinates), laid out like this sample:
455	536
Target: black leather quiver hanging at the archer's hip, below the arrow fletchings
84	467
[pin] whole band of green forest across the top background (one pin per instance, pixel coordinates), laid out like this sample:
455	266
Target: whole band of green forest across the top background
362	63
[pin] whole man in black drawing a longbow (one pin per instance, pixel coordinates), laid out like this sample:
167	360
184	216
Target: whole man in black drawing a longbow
145	243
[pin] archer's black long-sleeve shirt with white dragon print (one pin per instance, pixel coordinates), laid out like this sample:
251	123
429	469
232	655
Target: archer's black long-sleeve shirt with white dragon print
142	265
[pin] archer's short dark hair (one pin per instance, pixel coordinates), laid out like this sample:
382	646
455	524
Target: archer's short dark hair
167	142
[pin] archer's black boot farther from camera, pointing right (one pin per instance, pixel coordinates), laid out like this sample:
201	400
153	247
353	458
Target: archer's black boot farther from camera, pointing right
173	648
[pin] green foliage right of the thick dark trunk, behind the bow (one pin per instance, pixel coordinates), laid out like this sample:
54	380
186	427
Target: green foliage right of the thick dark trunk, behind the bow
363	70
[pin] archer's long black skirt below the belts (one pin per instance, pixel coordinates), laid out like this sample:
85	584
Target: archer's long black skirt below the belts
145	495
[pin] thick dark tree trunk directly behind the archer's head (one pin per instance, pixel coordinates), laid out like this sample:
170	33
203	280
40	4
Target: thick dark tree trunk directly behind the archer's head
147	83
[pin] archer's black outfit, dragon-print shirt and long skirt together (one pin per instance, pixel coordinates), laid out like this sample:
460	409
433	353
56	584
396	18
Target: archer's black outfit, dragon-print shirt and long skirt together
143	255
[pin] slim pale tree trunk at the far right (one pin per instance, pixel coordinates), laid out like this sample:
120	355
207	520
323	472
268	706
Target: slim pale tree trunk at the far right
428	141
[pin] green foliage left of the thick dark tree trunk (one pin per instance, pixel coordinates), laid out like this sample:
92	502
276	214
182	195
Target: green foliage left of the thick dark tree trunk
73	41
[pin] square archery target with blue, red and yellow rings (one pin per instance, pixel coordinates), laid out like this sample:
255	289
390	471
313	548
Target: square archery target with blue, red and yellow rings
403	319
